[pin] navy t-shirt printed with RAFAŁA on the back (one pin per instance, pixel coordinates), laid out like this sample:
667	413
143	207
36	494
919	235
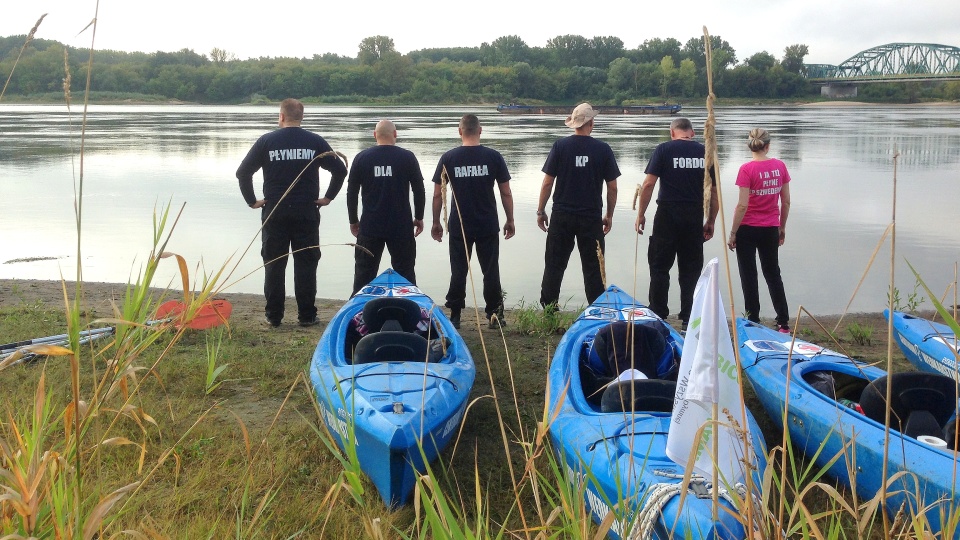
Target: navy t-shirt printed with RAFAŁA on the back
473	171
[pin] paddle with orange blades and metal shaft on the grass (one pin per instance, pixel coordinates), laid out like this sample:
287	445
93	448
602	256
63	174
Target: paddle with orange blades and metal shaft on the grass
211	314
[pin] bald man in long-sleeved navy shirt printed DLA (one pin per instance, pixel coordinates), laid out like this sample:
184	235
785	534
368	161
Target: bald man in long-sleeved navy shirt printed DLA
383	177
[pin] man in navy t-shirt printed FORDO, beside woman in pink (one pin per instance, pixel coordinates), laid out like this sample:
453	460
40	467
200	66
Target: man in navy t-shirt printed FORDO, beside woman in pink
679	230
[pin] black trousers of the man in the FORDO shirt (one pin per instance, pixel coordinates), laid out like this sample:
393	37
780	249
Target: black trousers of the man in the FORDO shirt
677	236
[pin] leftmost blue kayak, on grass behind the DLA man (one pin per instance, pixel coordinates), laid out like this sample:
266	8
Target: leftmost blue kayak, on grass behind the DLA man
400	374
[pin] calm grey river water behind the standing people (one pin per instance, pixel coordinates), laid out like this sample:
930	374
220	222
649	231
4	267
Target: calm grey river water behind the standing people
138	158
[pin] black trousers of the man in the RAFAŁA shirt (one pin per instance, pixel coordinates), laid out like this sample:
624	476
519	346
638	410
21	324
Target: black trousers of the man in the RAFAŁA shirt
488	254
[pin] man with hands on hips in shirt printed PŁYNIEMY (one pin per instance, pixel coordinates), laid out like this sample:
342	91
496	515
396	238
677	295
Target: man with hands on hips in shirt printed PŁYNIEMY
290	208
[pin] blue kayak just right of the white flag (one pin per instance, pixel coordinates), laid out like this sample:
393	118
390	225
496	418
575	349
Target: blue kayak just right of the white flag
837	405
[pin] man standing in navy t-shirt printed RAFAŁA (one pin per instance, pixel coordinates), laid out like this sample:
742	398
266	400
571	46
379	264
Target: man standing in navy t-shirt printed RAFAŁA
472	170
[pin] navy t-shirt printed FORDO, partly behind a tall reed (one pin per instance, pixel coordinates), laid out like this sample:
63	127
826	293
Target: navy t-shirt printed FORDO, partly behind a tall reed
679	165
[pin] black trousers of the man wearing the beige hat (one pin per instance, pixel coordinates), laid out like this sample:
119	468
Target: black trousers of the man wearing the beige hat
566	229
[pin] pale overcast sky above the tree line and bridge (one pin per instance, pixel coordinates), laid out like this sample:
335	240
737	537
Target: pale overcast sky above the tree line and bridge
834	30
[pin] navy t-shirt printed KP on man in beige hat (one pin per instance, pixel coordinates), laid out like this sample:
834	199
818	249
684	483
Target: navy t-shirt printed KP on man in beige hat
580	164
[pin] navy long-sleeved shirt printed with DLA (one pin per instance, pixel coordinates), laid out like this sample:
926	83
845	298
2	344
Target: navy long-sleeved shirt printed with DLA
383	176
